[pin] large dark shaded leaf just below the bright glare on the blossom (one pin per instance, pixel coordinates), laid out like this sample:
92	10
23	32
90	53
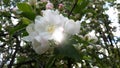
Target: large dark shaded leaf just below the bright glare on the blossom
67	51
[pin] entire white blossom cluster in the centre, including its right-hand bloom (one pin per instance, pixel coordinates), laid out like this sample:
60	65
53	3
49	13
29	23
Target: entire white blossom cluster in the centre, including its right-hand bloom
50	26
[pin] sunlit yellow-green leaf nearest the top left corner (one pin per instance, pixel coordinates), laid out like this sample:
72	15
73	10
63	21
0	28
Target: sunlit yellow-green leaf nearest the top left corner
24	7
